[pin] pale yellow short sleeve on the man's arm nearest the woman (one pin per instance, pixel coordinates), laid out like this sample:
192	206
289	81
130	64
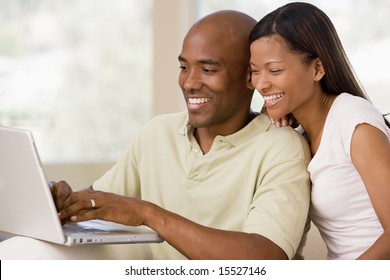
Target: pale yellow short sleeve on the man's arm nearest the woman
280	205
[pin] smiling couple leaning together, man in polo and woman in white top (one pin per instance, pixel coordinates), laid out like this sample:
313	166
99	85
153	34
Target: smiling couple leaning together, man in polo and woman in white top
220	181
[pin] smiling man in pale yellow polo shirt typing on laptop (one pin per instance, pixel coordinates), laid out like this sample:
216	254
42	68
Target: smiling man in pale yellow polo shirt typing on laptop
217	181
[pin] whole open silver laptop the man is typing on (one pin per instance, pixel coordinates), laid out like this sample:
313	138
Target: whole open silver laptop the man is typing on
27	207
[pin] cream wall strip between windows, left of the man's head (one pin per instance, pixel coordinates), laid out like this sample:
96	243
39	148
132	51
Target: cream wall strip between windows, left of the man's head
172	19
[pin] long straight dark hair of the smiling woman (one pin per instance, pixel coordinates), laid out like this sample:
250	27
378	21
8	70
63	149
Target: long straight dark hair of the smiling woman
309	31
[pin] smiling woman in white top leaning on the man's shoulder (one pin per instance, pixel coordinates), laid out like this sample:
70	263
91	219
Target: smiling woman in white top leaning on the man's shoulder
299	66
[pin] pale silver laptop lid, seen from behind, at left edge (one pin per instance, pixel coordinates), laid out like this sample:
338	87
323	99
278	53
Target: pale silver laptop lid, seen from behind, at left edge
26	207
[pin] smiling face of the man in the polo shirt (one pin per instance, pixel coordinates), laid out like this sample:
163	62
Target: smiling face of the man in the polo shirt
213	79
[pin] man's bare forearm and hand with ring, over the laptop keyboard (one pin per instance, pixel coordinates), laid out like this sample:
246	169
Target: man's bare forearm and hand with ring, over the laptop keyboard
192	240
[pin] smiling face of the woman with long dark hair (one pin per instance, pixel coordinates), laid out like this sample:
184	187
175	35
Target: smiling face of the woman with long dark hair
286	83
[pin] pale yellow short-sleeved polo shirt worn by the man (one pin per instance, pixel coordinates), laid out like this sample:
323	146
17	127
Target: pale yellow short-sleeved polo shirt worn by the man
254	180
